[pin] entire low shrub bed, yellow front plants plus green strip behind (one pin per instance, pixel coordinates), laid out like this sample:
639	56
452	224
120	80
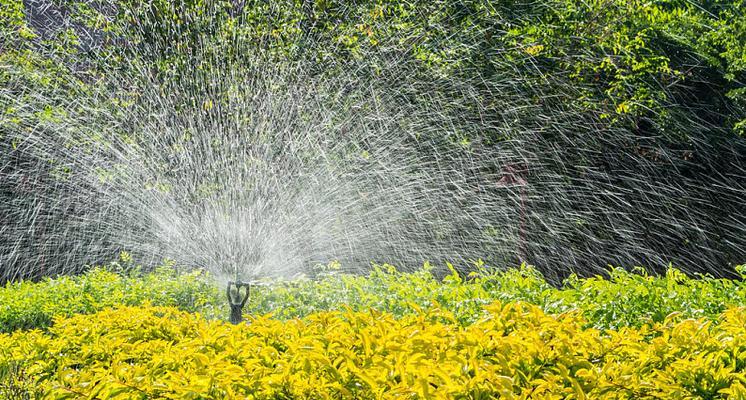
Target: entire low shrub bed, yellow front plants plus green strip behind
494	333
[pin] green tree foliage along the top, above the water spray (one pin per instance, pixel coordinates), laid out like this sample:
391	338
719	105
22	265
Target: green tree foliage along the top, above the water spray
657	60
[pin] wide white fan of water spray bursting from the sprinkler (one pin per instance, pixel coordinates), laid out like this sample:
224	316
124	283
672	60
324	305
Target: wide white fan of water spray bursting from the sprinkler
364	161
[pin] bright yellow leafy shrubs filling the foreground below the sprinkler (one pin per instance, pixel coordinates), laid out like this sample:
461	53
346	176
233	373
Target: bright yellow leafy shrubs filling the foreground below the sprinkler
516	352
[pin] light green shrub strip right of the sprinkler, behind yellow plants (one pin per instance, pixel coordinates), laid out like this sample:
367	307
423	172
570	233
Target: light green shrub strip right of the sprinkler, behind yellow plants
623	299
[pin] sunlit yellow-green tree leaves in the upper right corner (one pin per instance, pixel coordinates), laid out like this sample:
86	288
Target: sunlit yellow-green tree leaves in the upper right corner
639	58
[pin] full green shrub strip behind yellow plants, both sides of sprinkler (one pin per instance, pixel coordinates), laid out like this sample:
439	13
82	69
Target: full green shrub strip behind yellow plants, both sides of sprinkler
623	299
